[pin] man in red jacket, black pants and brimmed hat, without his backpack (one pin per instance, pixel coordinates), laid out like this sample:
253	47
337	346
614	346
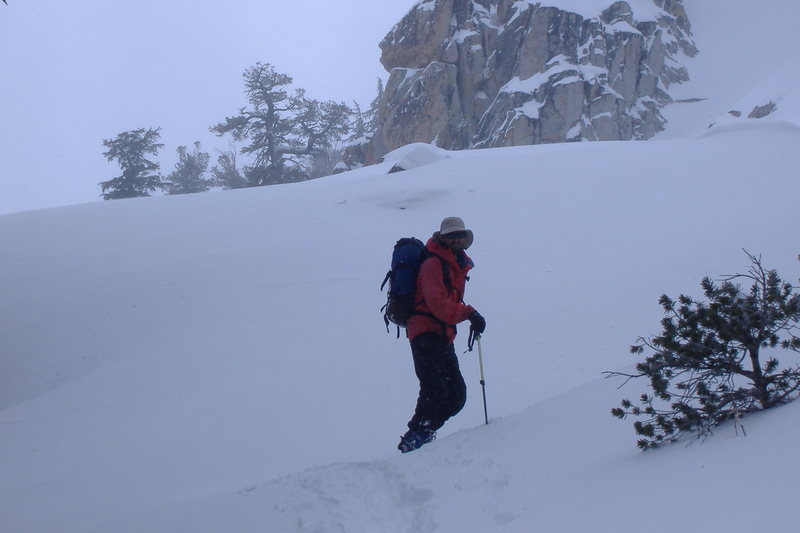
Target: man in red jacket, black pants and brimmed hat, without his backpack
431	331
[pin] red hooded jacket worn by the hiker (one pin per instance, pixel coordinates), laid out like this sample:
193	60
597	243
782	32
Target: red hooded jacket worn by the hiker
435	298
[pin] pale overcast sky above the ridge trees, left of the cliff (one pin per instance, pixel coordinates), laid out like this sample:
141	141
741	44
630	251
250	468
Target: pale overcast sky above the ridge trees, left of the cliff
75	72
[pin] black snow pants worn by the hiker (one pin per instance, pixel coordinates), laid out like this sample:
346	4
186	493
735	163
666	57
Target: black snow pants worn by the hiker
442	391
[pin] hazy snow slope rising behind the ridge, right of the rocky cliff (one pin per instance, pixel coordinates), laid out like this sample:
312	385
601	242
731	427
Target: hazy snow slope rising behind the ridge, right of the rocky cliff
748	57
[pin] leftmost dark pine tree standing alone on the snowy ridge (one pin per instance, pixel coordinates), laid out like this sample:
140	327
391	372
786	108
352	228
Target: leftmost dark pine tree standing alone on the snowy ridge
139	176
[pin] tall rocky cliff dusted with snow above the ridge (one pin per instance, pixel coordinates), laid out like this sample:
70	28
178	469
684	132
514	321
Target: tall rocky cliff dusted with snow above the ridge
488	73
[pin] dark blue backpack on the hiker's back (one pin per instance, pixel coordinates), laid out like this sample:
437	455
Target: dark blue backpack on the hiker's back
408	255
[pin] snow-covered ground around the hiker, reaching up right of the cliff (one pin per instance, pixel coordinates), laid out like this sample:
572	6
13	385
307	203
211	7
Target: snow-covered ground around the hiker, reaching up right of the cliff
218	362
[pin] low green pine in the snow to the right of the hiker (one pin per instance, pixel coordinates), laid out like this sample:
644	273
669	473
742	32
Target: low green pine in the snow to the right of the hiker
709	363
